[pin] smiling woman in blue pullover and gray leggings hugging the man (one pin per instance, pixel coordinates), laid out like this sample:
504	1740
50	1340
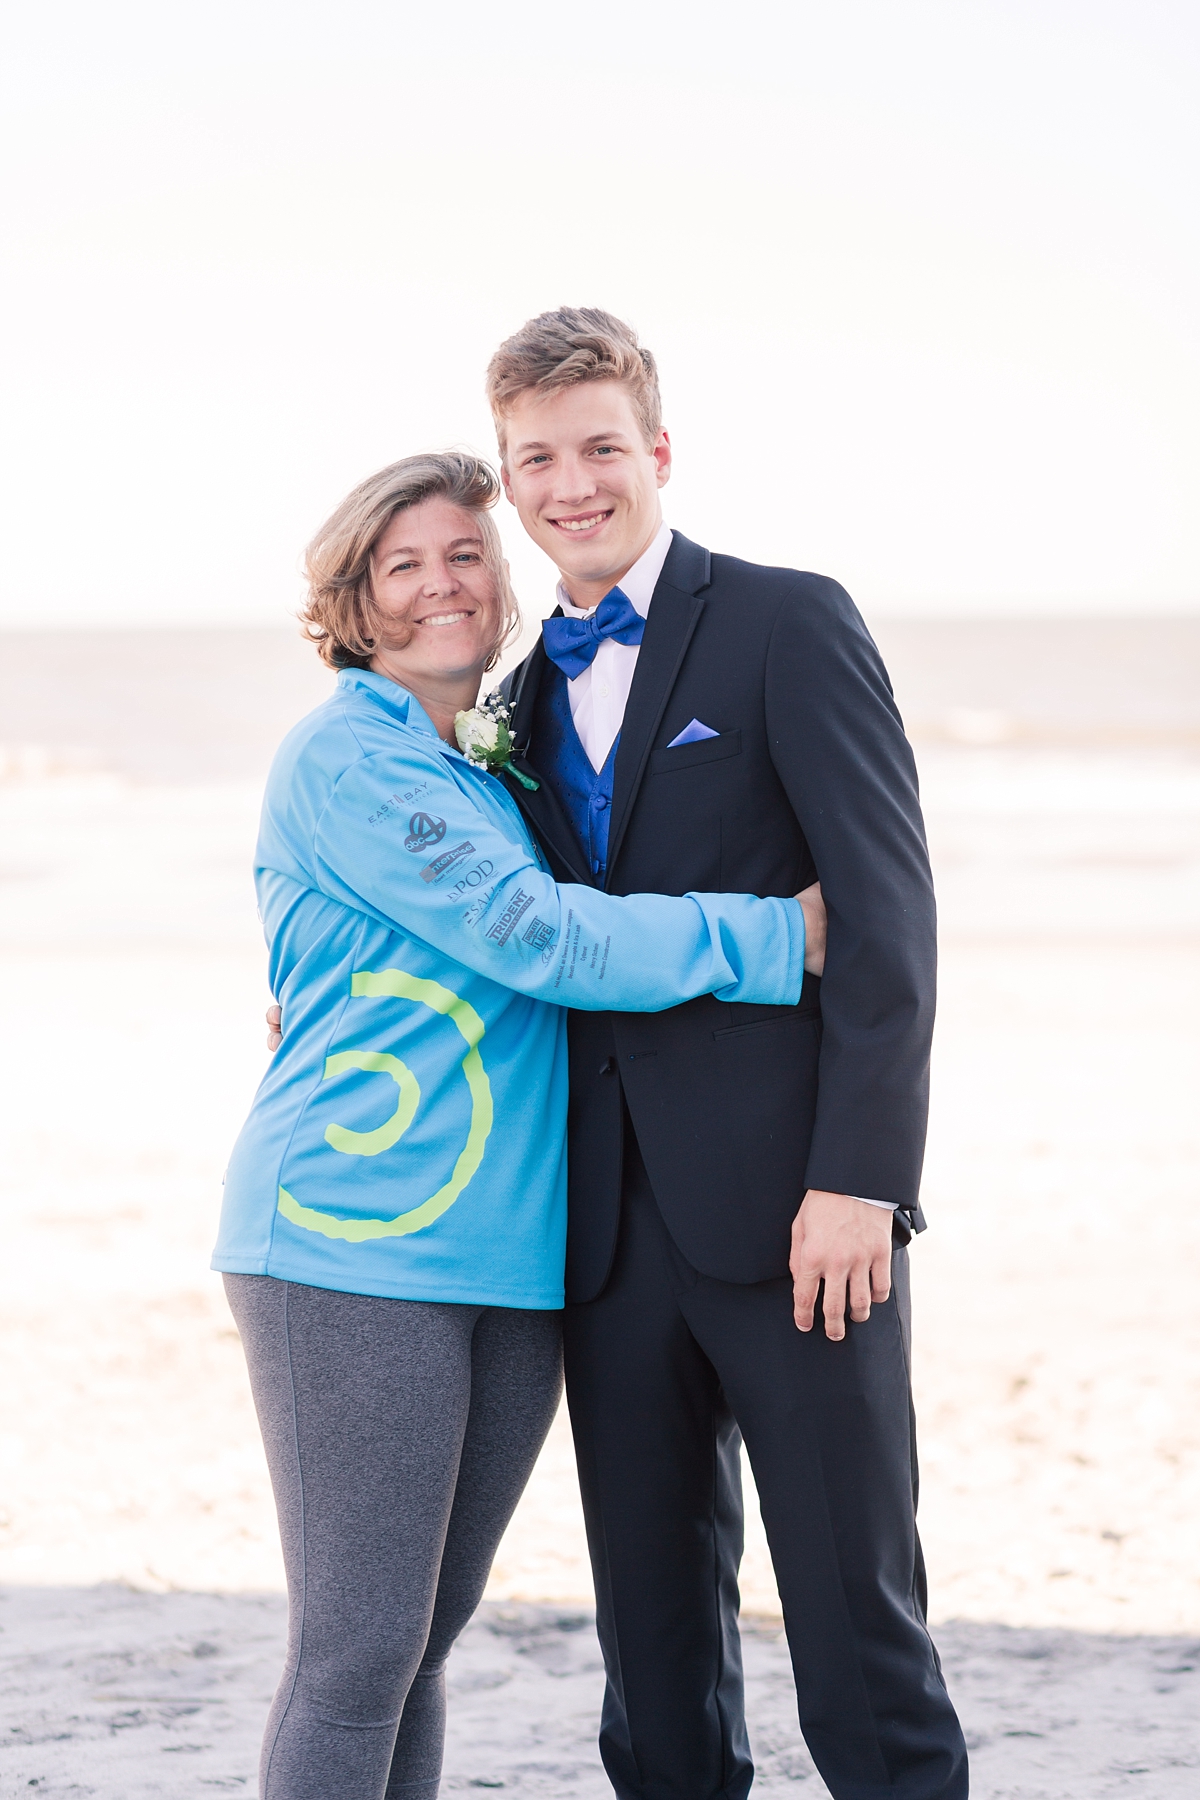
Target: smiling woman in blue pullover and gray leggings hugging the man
395	1207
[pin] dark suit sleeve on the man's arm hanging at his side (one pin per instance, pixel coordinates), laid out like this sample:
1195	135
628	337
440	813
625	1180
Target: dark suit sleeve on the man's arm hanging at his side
843	757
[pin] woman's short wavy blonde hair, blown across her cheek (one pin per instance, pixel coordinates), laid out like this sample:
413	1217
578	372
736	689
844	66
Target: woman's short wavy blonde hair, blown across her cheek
341	615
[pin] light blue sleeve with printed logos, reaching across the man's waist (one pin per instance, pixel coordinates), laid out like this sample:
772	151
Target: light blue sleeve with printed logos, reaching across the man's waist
479	895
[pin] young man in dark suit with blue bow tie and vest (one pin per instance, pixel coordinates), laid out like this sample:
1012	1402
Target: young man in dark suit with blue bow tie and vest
706	724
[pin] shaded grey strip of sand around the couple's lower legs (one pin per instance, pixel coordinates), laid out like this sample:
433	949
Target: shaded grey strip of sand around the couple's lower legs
130	1696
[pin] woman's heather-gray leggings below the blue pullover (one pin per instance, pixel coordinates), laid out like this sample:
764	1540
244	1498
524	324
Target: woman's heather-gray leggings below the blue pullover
400	1435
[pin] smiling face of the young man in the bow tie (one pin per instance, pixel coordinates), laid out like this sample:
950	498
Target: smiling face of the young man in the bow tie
586	483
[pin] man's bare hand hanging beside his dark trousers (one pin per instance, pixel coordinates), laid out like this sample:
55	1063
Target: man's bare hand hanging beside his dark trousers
839	1241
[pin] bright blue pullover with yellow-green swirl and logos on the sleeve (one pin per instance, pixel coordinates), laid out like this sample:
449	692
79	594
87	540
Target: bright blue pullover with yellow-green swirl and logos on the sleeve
409	1138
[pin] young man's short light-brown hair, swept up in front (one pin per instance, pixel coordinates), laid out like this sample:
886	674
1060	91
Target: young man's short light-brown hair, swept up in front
569	346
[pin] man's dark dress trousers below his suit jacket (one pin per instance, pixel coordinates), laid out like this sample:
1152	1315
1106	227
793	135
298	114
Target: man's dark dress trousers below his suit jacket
667	1372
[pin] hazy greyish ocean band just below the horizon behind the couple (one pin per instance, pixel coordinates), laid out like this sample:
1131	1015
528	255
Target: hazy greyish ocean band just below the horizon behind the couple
188	706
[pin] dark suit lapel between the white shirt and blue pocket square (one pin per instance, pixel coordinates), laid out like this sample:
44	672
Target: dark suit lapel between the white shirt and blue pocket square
674	616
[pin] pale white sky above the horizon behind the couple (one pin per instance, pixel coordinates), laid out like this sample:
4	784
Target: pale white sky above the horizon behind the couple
924	282
